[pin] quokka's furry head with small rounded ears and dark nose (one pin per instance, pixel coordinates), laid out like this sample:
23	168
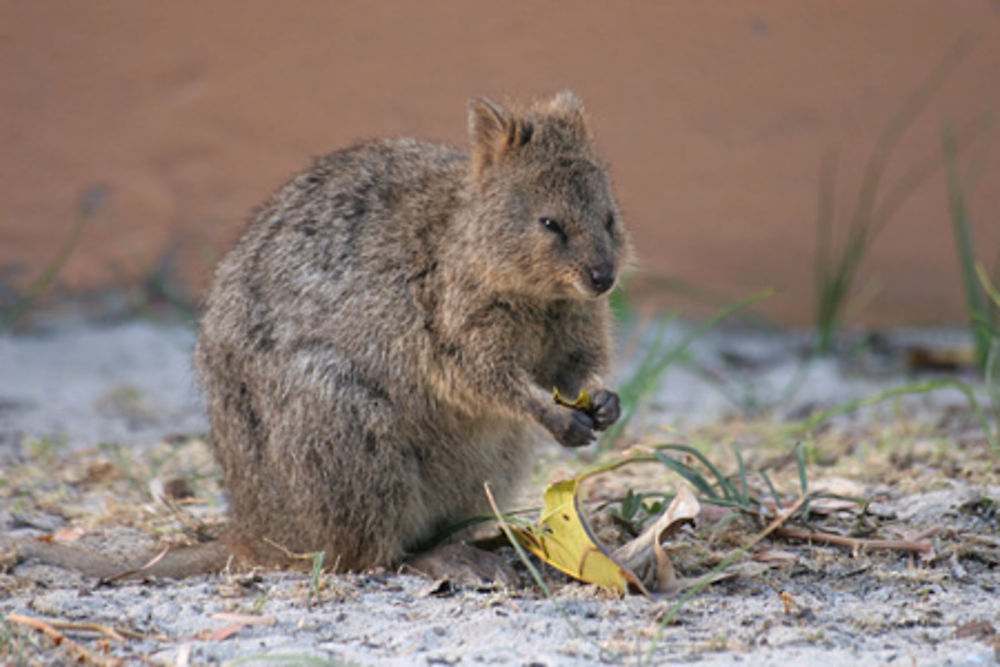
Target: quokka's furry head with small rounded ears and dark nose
541	200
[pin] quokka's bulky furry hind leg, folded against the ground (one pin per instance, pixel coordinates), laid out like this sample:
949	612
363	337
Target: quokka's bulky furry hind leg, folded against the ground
339	474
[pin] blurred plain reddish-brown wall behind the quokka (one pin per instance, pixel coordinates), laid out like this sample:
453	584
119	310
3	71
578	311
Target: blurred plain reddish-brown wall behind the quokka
714	115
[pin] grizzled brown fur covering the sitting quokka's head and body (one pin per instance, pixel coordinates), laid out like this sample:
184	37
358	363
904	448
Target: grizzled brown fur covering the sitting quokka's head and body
386	335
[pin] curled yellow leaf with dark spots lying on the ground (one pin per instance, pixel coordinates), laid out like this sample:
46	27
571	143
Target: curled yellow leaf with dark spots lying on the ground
563	539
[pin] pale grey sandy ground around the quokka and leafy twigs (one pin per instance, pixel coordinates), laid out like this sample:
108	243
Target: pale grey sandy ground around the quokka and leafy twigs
92	418
